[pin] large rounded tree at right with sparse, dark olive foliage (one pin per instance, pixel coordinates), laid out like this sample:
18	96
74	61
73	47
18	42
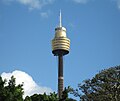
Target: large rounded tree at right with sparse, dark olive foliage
104	86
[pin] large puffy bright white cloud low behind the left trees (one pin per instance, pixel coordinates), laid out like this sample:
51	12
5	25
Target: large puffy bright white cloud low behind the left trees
29	85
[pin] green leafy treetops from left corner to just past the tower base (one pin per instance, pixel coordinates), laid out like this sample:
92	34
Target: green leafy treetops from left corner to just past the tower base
13	92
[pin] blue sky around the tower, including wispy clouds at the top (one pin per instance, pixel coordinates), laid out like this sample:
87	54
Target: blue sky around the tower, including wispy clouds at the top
27	28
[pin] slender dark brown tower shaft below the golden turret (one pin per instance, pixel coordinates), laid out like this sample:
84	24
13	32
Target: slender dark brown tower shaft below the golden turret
60	76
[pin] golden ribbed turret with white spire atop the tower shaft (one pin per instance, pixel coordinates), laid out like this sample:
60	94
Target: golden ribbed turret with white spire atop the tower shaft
60	43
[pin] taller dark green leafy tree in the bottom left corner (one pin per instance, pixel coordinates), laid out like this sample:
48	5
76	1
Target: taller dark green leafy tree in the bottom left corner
11	92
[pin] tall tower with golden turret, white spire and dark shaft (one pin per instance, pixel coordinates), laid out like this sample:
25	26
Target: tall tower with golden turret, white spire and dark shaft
60	47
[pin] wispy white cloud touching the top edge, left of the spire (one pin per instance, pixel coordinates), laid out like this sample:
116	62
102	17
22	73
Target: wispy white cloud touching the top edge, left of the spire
32	4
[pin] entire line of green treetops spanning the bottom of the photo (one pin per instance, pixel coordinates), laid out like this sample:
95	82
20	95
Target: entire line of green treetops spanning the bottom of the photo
103	86
